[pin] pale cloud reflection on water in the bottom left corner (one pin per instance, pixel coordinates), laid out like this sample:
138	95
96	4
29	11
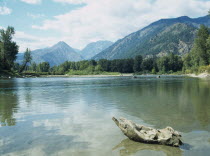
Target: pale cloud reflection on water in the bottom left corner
37	141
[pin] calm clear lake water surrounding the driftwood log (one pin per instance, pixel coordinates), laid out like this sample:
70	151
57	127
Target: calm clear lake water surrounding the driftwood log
72	116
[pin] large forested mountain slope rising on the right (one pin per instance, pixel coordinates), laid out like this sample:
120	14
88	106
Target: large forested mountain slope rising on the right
166	35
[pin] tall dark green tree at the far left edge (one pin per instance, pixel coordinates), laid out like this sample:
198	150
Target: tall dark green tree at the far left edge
8	48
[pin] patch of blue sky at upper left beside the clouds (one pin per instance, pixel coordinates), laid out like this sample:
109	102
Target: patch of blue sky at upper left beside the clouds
24	15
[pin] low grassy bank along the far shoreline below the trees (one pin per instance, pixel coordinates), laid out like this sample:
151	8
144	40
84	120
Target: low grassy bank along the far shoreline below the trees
200	72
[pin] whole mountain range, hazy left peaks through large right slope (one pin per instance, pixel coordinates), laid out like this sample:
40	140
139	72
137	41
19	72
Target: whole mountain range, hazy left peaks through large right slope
174	35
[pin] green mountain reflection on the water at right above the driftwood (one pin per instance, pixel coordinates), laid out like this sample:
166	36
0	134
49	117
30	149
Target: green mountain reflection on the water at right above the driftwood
182	104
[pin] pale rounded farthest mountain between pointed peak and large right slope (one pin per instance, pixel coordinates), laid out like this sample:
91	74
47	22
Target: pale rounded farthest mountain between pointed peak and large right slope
94	48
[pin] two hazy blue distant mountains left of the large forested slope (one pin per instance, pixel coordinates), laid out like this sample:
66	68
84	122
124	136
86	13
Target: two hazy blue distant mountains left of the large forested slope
62	52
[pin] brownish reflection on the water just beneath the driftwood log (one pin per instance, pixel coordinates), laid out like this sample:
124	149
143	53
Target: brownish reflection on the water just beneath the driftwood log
128	147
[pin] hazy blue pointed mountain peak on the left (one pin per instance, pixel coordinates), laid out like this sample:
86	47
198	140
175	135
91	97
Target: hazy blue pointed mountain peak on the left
55	55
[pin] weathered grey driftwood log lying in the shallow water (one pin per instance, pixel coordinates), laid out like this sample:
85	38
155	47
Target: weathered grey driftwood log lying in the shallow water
167	136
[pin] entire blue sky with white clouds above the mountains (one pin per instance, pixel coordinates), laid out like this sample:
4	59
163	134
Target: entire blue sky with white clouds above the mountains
43	23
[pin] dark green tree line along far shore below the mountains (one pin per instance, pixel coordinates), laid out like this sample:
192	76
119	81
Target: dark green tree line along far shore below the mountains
167	64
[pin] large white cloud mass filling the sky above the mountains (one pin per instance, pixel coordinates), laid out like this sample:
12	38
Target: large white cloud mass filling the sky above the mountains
113	19
